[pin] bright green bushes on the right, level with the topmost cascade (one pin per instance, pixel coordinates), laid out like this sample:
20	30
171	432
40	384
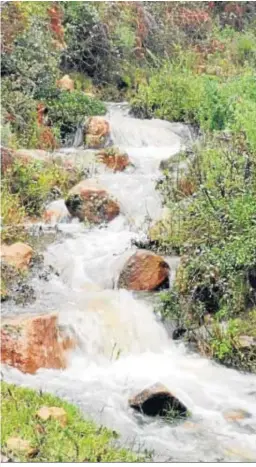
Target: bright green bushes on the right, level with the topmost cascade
213	103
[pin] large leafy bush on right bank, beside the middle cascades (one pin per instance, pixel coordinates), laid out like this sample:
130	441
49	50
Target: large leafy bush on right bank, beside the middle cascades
214	231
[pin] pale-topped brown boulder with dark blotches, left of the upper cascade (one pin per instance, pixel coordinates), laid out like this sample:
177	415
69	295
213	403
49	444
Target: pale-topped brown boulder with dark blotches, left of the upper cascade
89	201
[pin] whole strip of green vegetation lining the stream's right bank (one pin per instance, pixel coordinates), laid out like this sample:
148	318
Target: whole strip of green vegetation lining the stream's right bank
212	210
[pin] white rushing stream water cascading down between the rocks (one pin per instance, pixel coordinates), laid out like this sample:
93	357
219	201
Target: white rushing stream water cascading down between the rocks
123	347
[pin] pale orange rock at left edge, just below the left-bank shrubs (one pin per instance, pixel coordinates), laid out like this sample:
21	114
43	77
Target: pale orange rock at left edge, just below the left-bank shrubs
18	255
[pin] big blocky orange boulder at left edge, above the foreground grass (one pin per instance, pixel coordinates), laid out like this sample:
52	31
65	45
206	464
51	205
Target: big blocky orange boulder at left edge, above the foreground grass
29	343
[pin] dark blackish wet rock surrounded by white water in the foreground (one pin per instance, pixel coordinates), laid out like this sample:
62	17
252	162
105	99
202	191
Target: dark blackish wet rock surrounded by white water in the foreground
158	400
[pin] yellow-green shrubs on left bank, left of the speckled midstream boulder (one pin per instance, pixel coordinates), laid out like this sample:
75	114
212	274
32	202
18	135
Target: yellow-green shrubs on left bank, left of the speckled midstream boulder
26	188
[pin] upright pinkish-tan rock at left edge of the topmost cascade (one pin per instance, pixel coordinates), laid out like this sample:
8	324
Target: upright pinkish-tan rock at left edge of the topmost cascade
96	132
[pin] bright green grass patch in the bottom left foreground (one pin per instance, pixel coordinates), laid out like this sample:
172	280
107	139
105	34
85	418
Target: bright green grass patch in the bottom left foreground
79	441
